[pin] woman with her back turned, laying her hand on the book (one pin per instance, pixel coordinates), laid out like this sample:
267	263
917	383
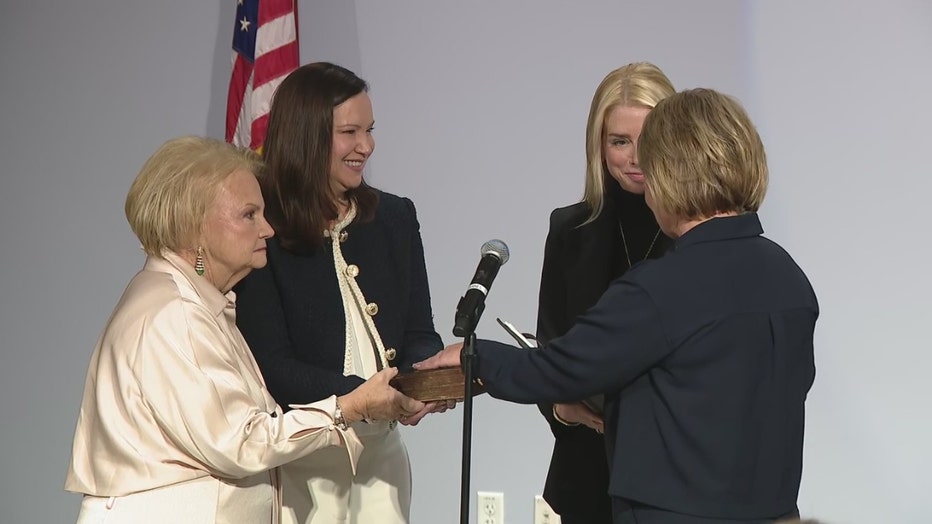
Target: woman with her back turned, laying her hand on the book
705	356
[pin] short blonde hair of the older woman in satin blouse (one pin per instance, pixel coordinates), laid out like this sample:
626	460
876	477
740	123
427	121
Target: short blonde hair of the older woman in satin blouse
167	204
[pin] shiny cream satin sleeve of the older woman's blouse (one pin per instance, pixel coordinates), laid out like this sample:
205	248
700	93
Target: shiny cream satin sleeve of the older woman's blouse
205	395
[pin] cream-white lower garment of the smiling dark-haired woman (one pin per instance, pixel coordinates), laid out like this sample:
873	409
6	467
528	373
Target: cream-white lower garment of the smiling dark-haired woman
321	488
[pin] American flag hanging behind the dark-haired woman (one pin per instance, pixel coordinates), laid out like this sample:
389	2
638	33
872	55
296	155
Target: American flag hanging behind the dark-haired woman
265	50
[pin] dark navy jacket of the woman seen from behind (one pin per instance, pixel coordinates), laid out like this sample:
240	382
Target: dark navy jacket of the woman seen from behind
706	358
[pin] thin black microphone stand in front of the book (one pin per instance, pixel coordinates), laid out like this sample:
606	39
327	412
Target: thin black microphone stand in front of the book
465	326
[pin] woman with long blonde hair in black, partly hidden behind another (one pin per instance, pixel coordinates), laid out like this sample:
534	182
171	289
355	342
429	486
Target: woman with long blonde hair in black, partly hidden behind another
591	243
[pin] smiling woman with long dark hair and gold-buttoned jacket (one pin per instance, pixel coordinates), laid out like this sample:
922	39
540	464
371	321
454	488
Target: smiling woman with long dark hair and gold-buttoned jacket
344	294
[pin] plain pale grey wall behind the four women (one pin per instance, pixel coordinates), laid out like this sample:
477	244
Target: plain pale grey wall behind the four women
480	115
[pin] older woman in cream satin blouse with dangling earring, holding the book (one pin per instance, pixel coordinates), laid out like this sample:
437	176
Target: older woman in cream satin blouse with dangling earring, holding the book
176	424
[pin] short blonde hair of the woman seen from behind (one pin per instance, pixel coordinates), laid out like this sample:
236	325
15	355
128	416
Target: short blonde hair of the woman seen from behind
701	155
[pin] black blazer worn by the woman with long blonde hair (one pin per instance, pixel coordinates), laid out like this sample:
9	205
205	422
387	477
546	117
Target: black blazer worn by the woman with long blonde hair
580	261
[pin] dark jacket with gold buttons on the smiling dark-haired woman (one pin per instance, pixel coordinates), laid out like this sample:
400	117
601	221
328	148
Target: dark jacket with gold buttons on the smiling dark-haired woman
291	311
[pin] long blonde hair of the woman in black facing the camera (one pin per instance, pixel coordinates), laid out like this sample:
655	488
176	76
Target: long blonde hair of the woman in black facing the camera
640	84
